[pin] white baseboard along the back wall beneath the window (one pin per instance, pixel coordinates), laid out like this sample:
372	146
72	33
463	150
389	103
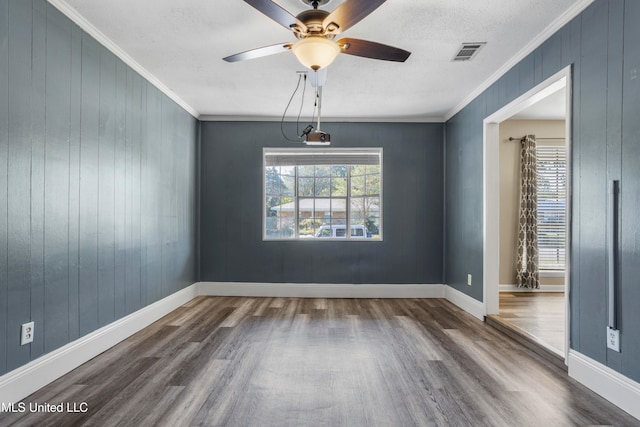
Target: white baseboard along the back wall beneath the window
319	290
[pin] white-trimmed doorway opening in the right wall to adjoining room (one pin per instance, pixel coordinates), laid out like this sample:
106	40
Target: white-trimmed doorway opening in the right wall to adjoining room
542	314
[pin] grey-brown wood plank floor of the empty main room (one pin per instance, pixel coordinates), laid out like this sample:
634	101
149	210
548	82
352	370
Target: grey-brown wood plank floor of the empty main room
226	361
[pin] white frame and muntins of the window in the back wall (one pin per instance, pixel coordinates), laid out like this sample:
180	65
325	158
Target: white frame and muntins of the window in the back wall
328	153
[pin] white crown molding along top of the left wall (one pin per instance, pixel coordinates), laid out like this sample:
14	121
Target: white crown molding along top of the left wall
105	41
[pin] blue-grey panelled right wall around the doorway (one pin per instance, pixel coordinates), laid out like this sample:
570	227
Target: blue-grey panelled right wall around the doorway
602	46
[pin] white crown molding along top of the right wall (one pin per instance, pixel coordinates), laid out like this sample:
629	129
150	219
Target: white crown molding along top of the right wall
537	41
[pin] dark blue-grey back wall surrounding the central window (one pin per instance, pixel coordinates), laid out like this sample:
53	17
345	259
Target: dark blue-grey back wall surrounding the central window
231	209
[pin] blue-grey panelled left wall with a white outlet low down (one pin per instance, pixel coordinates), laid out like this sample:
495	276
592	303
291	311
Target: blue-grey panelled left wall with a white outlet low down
97	185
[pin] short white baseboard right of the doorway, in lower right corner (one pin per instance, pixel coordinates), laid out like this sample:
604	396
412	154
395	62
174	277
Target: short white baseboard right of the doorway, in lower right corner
613	386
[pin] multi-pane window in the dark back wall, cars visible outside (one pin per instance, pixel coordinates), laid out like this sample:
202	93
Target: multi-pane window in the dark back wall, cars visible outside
321	193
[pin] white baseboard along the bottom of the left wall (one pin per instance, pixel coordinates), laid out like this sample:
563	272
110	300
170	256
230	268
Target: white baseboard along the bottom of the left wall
27	379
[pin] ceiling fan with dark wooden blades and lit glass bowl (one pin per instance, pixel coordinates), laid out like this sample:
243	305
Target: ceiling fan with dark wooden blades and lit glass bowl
315	30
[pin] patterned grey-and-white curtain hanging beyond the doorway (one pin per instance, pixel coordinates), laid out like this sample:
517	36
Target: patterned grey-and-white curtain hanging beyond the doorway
527	262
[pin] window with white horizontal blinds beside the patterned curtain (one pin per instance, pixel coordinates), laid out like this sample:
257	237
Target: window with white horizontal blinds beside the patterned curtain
552	196
